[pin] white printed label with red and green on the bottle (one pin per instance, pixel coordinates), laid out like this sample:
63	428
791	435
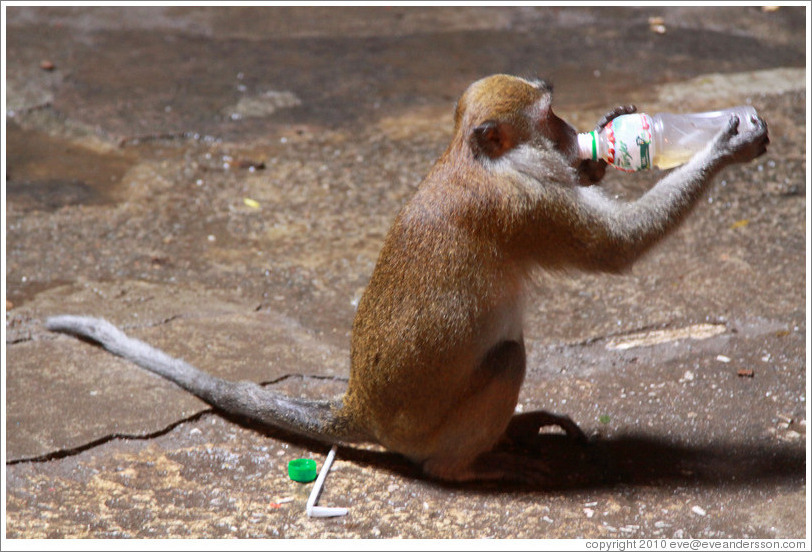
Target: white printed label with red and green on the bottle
629	138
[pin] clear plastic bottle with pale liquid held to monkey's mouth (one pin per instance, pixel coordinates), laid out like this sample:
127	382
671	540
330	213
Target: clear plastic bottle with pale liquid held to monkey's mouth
639	141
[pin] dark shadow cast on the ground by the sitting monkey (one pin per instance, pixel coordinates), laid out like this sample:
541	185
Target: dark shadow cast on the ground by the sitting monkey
631	459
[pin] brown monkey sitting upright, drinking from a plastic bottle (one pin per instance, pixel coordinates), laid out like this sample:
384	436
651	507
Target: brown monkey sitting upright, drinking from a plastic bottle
437	353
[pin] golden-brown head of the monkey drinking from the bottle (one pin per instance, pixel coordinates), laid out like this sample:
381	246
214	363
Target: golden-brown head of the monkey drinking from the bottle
499	113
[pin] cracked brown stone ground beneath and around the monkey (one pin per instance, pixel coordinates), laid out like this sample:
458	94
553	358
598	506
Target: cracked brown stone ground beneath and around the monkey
219	181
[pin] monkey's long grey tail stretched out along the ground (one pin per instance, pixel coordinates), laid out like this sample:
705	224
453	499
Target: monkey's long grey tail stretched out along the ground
320	420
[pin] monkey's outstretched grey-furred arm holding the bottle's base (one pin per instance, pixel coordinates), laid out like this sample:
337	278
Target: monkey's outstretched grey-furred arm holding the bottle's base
611	235
